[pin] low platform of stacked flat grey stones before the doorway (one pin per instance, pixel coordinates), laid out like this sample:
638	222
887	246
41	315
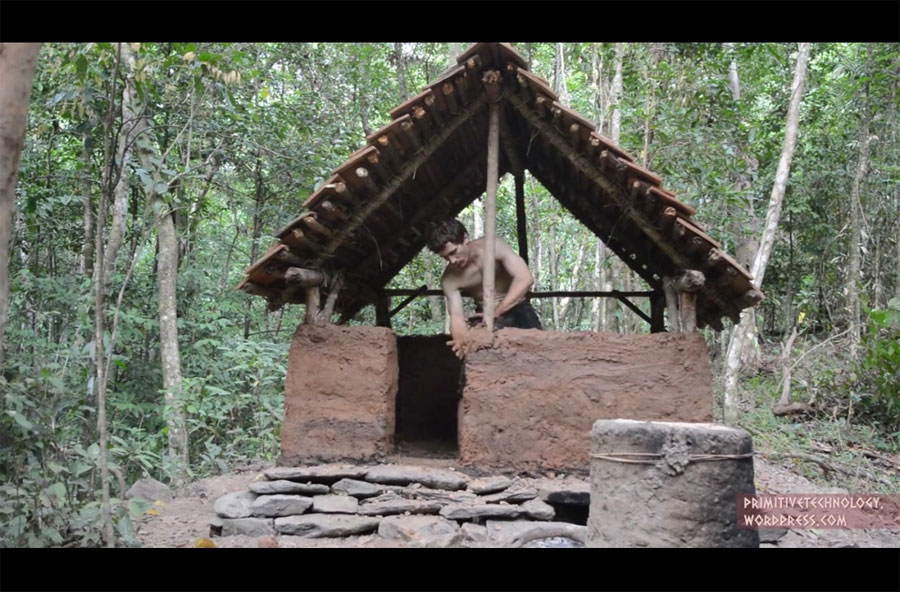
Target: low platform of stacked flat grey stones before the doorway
433	507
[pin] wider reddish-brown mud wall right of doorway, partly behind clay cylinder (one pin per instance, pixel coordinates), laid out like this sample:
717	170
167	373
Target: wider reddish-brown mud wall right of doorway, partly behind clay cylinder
530	401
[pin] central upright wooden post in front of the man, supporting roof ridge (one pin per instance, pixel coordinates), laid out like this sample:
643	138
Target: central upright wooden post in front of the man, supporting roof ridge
491	81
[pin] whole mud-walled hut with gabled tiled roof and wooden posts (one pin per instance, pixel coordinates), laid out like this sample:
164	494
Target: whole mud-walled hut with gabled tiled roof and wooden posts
528	402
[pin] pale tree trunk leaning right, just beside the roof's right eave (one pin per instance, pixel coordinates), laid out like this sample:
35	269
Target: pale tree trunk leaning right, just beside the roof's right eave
742	330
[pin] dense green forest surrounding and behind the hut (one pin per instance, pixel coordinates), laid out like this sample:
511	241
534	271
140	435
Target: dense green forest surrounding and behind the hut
153	174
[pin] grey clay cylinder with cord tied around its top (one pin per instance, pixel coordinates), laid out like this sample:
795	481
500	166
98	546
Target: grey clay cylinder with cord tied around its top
668	484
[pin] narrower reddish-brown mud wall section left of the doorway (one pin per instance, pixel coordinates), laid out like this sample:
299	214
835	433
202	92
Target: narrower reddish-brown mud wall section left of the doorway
340	394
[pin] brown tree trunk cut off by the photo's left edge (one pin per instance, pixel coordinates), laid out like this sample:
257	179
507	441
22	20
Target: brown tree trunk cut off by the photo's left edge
18	62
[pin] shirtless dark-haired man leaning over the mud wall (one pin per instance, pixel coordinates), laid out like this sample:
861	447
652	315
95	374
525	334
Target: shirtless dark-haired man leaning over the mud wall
463	276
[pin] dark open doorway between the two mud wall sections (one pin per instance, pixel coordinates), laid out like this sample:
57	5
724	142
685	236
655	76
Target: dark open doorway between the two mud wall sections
429	391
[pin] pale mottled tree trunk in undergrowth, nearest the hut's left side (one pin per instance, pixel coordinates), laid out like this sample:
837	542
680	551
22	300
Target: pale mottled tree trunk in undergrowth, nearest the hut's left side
168	335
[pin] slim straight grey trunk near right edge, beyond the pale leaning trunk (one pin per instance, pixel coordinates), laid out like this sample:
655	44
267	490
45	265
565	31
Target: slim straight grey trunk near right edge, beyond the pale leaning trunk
853	277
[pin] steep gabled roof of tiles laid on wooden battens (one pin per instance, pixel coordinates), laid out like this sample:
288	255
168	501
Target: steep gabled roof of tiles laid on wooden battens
371	217
